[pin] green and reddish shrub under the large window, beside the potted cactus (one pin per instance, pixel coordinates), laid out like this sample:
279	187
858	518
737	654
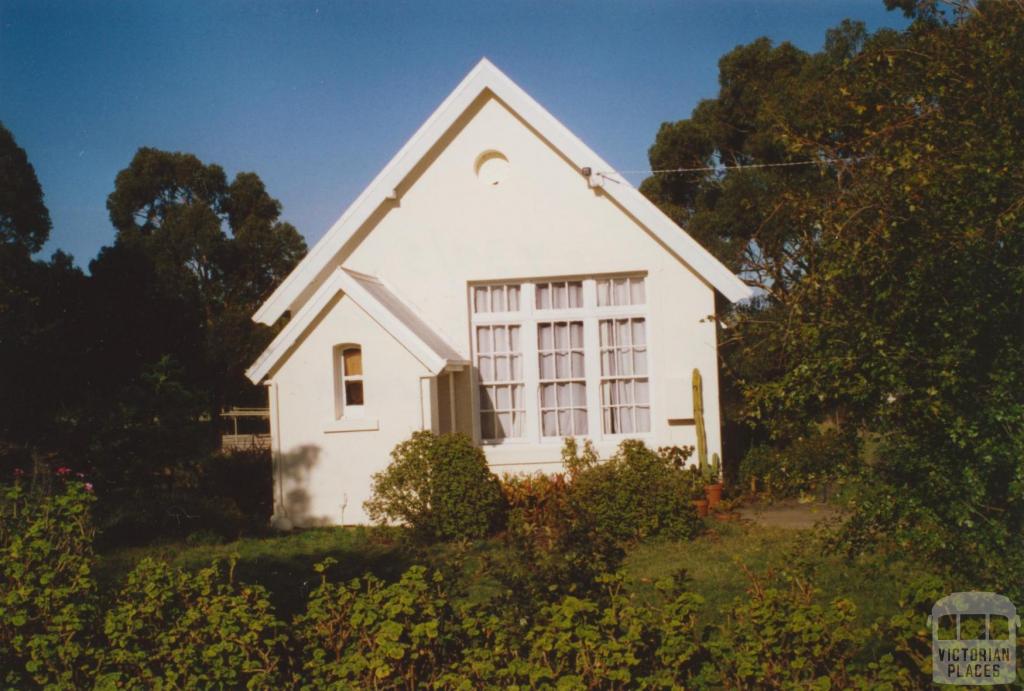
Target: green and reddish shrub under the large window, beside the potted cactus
563	532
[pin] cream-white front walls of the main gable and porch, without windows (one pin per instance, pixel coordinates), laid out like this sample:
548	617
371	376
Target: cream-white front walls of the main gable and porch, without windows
448	230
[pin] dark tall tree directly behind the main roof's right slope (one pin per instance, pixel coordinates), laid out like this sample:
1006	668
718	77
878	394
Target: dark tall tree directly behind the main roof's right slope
759	222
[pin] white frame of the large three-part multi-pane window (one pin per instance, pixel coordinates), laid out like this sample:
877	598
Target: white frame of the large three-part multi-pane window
528	318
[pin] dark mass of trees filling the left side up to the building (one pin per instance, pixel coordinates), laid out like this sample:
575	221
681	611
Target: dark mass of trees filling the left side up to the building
125	370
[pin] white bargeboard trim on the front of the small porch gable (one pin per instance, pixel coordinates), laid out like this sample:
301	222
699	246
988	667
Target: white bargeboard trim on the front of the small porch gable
351	284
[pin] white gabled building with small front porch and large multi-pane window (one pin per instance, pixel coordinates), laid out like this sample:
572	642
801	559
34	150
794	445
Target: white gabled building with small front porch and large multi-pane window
497	280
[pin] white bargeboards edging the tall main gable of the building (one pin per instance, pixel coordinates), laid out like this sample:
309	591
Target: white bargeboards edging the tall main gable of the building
487	77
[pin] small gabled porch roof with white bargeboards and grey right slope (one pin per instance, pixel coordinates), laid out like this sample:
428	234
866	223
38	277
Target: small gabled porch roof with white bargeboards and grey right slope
382	306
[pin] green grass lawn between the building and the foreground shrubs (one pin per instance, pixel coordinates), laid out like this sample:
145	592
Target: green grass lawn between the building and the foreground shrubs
715	565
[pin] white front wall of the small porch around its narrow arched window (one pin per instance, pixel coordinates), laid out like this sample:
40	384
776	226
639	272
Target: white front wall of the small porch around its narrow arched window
321	462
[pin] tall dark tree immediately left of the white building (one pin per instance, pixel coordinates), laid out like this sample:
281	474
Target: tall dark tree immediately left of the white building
167	336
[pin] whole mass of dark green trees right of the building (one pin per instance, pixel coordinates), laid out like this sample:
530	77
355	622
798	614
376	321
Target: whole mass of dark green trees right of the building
892	272
